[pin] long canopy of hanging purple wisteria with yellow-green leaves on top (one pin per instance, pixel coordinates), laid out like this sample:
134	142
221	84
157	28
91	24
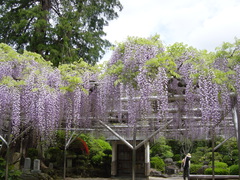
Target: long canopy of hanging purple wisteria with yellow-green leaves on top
141	72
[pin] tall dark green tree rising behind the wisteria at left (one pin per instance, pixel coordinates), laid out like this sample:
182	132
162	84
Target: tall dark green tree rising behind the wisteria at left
62	31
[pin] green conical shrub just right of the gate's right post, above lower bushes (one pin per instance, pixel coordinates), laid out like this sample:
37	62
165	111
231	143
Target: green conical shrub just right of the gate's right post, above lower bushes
161	149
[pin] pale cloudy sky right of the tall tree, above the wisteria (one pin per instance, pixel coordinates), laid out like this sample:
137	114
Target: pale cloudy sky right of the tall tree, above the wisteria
203	24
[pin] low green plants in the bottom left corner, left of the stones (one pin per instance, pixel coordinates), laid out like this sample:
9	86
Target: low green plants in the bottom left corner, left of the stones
12	174
